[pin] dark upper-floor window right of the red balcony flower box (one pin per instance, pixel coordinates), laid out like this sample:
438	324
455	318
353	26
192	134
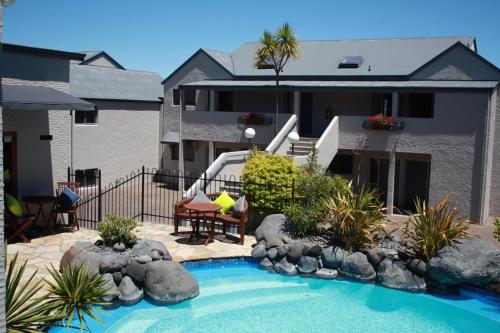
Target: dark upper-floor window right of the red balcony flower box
416	105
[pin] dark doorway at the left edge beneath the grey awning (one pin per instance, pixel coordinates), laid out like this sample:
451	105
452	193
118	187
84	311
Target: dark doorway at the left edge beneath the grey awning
10	162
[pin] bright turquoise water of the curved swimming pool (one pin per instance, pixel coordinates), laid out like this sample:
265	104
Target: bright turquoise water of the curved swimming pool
236	296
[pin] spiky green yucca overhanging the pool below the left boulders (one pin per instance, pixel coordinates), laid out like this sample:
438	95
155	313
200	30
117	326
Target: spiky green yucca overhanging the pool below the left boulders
77	292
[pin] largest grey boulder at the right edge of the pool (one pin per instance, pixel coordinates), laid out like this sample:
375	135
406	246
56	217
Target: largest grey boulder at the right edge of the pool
472	261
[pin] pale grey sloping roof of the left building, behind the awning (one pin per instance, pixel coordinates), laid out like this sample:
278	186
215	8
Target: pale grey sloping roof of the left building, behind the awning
96	82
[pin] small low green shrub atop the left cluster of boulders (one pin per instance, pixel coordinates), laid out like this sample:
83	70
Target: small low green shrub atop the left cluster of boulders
116	229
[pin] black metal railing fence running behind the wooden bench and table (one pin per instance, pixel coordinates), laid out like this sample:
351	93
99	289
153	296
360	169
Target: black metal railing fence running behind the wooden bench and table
150	194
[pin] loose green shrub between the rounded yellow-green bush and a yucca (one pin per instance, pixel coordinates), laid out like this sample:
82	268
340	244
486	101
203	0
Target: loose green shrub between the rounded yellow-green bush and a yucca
308	210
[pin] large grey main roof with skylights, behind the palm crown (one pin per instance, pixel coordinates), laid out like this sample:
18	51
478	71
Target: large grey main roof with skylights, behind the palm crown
386	57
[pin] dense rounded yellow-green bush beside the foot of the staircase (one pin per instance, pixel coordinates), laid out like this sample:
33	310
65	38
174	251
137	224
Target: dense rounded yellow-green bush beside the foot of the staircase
267	181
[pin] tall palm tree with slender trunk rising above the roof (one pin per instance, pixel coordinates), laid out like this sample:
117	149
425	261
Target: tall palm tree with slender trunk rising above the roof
275	49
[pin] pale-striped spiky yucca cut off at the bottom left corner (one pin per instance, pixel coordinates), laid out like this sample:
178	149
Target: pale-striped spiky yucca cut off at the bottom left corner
24	312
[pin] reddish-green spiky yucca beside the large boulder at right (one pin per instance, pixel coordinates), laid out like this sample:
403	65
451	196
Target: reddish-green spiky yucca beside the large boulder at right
430	229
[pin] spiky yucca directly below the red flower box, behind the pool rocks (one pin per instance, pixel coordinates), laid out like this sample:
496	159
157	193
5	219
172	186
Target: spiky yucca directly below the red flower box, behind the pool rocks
355	218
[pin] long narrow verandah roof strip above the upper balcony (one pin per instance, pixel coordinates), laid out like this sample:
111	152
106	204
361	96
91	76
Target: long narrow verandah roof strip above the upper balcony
421	84
